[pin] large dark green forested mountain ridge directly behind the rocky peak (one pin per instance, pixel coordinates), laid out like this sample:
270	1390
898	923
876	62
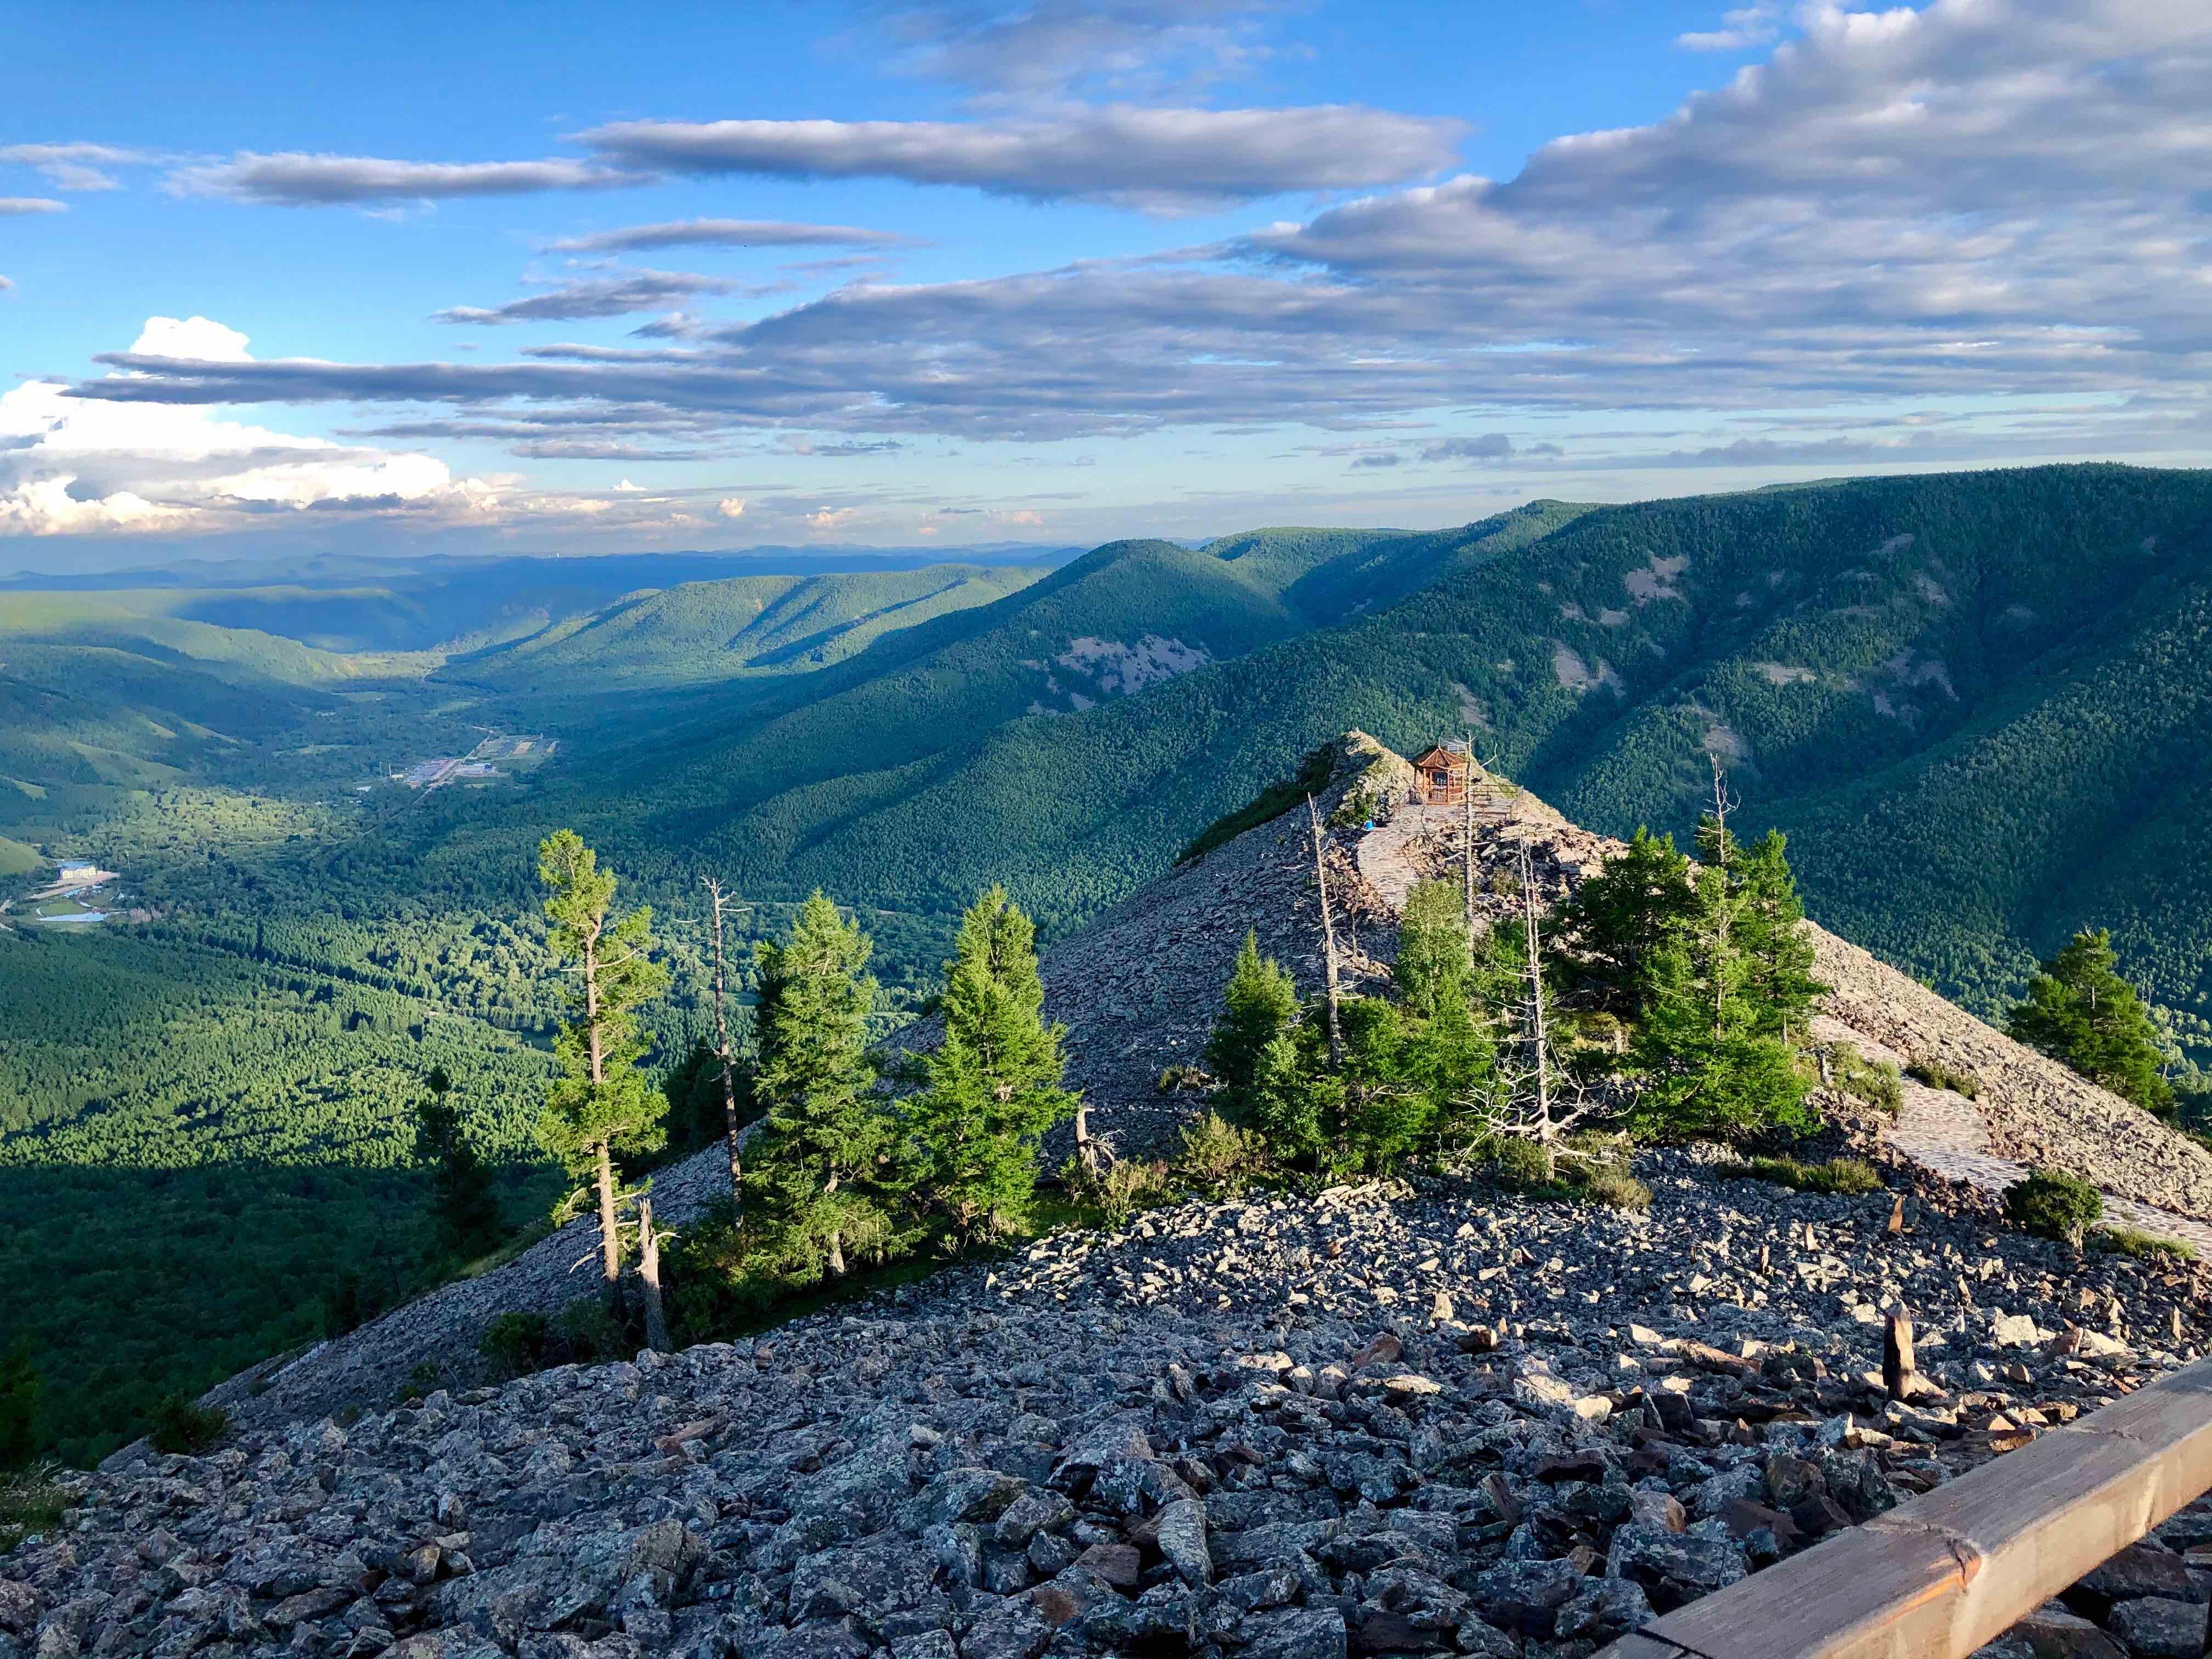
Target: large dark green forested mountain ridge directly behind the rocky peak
1976	702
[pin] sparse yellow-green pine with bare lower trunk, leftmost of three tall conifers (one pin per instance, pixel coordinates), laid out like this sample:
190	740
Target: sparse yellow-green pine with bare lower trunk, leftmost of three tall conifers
598	1105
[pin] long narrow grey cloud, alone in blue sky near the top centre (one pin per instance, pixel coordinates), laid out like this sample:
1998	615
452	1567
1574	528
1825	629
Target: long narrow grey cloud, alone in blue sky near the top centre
1160	160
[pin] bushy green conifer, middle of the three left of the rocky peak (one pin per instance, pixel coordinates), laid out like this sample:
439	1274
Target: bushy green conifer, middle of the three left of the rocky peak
822	1156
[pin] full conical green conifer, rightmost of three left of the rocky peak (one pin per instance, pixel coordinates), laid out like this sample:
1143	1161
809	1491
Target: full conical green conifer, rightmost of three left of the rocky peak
994	1081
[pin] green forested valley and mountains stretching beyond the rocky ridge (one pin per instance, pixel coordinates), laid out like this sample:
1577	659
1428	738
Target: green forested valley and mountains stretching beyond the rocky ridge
1970	700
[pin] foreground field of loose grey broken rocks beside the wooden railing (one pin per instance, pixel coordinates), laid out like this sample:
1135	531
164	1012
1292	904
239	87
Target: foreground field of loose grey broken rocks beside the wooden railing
1375	1421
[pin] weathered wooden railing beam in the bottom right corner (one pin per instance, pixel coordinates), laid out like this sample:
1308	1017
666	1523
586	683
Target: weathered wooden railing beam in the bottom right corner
1954	1569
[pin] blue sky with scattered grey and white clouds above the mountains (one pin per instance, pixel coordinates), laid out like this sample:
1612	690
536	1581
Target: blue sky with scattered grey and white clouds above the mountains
530	278
